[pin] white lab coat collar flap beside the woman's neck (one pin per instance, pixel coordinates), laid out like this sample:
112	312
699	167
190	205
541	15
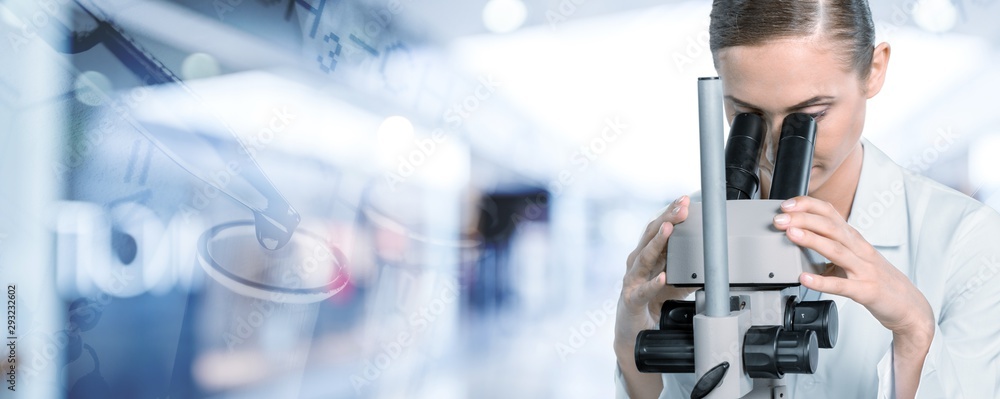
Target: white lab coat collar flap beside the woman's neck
879	208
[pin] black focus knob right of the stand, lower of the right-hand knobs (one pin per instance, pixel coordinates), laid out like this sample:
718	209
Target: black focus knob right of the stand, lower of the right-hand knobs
771	351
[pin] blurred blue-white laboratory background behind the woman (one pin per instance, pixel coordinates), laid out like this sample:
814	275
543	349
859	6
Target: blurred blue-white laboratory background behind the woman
458	182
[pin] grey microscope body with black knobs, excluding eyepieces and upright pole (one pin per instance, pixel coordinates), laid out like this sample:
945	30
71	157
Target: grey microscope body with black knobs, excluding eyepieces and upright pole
769	332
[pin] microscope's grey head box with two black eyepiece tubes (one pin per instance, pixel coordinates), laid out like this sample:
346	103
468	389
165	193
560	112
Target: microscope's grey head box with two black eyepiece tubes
760	255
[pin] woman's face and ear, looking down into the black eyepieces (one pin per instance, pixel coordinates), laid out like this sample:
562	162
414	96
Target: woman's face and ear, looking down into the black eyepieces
807	75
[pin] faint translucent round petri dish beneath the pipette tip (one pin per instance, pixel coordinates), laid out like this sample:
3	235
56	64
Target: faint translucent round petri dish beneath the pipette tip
308	269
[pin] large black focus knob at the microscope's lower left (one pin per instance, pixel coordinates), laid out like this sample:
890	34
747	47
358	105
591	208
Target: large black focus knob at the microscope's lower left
665	351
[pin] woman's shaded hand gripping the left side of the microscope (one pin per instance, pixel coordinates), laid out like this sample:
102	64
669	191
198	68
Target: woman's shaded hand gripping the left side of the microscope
644	290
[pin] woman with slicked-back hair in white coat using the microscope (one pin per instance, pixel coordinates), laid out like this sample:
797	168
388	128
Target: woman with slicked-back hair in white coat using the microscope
912	263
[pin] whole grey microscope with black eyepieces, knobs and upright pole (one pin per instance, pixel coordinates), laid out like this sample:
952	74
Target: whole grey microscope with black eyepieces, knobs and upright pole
746	327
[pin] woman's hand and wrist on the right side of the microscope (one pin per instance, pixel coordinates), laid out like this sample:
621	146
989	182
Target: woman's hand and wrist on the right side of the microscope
861	273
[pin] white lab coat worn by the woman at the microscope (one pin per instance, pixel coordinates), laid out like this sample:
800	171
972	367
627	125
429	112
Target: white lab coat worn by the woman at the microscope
949	246
